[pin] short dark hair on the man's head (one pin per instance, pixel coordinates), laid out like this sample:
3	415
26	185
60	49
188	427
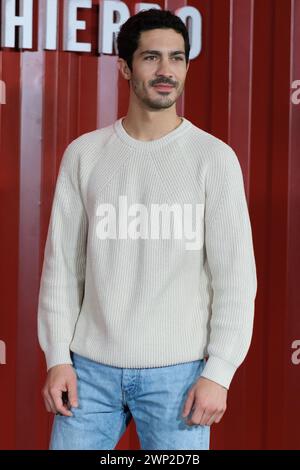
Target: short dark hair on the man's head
130	31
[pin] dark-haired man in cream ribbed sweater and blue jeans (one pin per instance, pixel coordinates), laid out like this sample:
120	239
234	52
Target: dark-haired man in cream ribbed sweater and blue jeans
128	313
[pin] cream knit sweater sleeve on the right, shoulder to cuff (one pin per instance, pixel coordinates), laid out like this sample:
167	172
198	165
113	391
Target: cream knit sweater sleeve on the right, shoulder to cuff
230	256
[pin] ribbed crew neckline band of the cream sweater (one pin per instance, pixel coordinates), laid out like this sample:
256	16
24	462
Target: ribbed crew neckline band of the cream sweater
150	144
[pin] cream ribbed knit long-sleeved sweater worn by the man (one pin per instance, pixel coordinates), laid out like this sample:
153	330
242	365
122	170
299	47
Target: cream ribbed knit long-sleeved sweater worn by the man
148	302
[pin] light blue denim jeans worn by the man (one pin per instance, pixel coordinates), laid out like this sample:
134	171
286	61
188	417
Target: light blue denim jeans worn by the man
110	396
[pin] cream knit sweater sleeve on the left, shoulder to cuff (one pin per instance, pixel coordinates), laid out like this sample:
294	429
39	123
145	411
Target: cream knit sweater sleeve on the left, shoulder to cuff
63	272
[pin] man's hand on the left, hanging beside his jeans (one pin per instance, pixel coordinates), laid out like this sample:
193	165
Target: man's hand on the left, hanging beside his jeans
60	379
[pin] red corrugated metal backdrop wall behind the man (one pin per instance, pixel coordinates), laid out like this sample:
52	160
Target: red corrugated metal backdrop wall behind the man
239	89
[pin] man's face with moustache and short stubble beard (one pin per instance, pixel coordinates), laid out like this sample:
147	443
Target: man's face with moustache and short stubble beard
159	68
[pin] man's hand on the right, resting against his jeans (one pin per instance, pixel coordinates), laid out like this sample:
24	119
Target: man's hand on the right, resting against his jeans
209	399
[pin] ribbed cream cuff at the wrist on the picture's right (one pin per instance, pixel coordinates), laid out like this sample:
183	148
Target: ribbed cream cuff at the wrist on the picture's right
219	371
